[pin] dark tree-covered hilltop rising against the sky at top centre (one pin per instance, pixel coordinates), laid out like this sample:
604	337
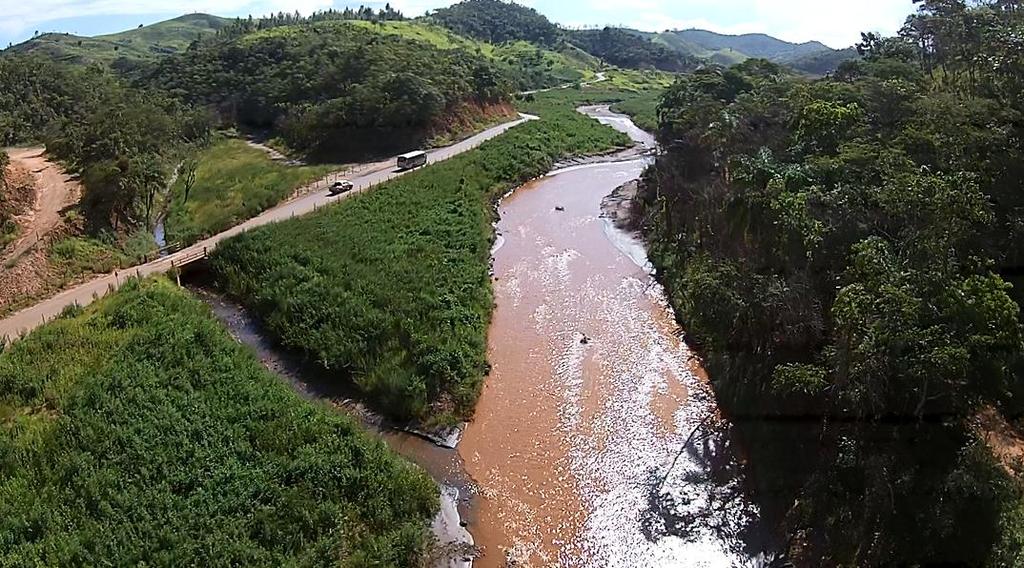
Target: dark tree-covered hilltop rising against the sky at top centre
498	22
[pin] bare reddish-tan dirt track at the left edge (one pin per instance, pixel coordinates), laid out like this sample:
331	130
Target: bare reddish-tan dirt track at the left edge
55	192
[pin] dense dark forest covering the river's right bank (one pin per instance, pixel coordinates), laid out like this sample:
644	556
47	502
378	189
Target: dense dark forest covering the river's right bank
841	249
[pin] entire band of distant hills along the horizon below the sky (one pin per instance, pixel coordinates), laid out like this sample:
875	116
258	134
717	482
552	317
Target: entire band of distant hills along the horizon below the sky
536	52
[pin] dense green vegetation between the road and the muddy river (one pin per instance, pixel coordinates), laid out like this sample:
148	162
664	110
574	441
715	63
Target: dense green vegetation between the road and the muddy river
391	288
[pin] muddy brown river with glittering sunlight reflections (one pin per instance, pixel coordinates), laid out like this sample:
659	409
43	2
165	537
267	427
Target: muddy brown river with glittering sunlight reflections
598	441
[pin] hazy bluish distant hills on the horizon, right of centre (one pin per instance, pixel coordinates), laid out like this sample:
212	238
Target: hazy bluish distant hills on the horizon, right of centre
815	58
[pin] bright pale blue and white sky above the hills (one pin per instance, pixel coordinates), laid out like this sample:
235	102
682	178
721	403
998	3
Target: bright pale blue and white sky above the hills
835	23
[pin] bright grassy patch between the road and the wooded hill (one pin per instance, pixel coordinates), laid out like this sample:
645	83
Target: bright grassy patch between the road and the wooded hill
234	183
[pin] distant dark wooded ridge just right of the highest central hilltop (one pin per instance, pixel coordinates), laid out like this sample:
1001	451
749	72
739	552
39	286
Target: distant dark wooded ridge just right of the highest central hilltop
628	50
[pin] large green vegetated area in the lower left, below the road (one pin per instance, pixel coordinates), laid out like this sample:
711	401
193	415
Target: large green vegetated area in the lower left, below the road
141	433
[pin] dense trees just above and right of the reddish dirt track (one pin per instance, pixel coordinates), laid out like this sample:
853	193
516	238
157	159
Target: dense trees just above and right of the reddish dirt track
120	140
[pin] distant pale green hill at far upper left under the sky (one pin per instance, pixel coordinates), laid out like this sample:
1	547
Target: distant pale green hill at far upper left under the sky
141	45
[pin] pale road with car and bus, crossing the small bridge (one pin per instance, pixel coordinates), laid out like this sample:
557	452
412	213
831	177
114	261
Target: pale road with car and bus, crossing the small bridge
363	179
